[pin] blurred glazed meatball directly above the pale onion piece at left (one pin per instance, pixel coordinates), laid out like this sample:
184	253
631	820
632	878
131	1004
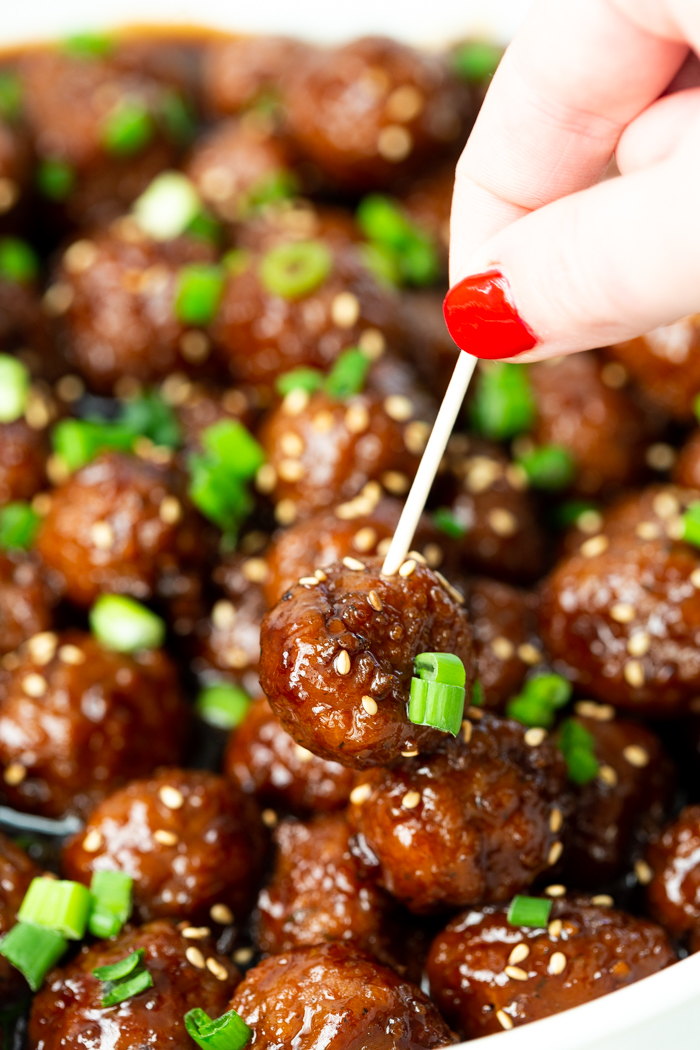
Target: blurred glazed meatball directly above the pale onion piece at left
117	527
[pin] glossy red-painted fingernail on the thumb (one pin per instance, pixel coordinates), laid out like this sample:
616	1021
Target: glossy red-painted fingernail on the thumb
483	321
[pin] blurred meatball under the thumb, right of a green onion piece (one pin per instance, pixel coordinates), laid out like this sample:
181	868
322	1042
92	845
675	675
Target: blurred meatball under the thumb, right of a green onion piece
601	426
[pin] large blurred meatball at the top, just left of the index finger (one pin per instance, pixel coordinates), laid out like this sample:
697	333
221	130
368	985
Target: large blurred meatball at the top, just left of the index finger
372	111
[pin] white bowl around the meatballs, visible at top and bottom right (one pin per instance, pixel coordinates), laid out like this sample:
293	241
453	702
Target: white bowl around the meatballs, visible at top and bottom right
663	1011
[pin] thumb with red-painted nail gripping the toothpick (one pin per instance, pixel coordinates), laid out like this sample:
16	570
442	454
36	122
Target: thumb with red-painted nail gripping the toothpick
601	266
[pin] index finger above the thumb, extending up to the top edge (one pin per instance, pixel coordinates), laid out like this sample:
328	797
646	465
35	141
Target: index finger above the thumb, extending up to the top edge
577	74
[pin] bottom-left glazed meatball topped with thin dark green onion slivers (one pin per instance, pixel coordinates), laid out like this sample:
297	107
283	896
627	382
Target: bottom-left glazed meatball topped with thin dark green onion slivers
68	1013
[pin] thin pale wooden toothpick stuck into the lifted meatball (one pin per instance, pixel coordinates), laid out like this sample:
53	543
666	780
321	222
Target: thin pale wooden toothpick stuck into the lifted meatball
404	538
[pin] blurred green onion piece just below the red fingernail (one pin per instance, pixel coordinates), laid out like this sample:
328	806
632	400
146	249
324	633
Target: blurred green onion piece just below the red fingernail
504	405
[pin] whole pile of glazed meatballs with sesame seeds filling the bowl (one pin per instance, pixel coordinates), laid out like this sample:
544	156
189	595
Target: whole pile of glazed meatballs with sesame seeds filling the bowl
338	876
